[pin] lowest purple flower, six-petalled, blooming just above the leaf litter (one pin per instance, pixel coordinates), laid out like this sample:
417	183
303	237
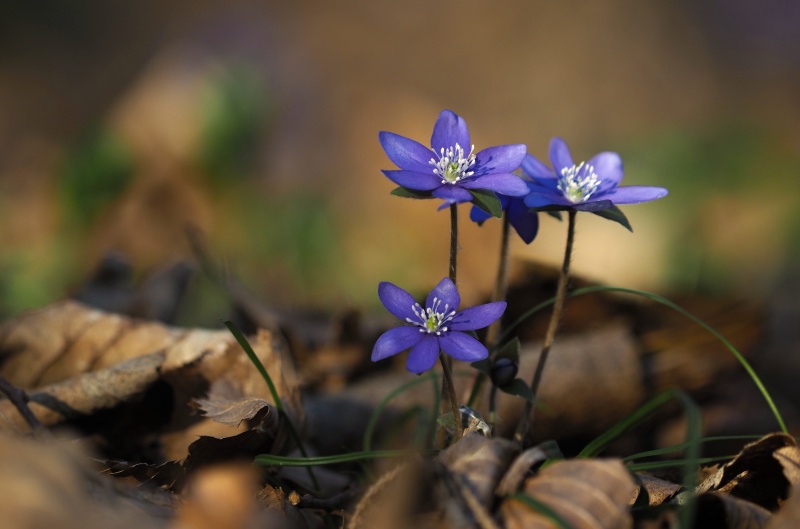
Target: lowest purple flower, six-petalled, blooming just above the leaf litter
436	327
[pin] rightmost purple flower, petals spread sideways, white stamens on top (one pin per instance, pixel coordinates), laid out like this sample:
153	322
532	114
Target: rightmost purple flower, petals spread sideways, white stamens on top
587	186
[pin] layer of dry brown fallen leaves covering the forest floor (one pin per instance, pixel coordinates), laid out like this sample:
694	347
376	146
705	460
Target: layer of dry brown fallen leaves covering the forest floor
158	426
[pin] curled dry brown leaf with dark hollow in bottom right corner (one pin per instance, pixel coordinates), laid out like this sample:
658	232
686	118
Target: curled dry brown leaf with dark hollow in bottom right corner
757	473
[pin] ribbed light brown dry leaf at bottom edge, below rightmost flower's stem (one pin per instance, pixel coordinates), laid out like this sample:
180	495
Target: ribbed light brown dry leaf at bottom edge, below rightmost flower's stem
587	494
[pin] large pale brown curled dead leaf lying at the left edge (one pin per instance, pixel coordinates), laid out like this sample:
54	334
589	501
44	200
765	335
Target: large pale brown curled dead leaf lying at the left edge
95	361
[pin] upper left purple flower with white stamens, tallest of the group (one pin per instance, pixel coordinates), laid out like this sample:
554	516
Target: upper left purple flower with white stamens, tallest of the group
448	171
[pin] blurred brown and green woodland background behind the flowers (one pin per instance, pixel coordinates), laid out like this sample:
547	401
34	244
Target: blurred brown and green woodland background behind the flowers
253	125
